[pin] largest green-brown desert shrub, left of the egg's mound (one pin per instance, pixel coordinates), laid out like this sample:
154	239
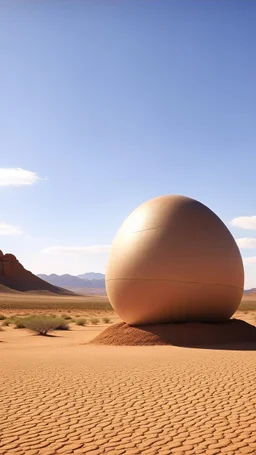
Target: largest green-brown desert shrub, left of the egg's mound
44	324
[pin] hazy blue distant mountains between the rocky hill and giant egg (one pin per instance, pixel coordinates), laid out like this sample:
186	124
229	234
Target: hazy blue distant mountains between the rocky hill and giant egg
86	283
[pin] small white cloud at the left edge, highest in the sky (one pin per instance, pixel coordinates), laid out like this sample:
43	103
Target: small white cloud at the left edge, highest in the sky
17	177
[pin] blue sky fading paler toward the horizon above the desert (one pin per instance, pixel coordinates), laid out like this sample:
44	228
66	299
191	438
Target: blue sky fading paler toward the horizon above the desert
111	103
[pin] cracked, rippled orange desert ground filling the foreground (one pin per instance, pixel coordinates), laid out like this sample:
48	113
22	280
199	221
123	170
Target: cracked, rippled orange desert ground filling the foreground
120	400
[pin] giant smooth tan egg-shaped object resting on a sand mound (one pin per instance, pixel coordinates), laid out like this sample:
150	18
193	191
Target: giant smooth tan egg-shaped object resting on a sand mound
174	260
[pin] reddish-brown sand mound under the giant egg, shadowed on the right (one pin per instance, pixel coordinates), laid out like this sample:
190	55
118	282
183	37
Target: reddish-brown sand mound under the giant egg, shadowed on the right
234	332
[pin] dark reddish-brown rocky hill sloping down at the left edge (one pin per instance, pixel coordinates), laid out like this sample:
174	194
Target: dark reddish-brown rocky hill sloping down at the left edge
14	277
